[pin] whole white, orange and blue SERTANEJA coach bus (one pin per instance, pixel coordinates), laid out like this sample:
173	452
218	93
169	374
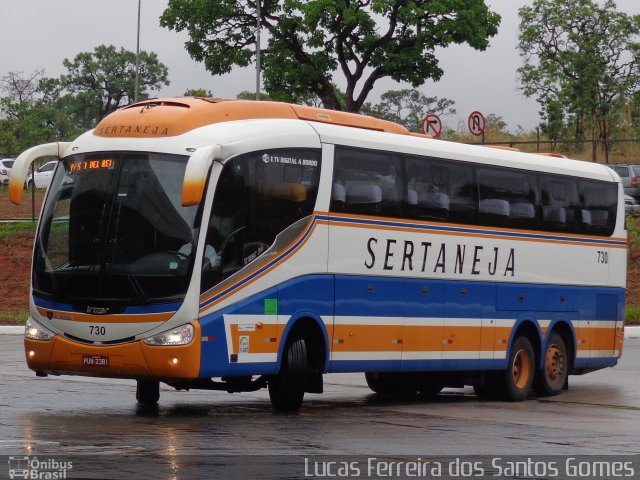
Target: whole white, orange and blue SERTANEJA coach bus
239	245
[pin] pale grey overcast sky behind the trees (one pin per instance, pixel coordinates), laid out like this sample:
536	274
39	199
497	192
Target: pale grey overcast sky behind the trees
39	34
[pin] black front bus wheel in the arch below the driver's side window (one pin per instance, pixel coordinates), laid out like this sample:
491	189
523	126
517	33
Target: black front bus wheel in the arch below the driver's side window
286	389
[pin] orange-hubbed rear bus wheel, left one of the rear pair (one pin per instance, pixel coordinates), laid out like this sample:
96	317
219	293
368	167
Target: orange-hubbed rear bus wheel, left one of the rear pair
518	378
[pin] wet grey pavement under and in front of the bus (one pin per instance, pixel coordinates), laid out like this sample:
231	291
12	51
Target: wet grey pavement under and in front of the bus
95	424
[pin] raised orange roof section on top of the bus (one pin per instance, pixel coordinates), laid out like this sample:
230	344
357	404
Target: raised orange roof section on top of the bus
175	116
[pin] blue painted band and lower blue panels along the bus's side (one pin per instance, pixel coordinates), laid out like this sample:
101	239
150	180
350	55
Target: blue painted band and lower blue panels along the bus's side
323	296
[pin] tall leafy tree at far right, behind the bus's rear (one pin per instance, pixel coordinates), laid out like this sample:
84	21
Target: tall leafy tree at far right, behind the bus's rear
580	61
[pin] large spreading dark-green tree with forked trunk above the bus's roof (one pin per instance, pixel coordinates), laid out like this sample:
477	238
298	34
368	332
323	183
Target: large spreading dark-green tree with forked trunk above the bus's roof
309	41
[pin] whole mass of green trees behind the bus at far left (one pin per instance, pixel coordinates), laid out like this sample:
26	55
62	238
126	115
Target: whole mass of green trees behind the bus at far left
37	109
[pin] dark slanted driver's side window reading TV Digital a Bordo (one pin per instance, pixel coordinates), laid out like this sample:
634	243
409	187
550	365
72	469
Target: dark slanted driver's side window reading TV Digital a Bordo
257	197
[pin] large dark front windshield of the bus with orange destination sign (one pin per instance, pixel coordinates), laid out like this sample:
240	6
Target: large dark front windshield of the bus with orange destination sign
113	231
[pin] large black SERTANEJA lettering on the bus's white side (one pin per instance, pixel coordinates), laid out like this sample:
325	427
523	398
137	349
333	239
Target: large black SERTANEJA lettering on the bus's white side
427	257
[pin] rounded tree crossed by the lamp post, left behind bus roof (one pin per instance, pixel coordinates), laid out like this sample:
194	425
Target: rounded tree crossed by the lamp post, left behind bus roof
104	80
